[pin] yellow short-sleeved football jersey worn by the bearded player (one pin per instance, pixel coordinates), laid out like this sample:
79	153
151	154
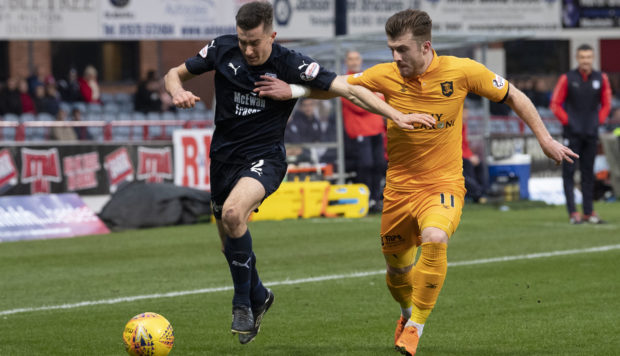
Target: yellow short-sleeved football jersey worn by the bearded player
421	156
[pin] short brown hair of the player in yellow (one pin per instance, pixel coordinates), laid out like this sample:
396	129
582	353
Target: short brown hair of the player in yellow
417	22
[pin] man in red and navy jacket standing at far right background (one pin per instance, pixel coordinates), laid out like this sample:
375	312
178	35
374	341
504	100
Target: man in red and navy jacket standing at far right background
581	101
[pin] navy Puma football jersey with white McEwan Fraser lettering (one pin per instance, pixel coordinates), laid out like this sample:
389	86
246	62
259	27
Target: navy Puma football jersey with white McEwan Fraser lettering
248	127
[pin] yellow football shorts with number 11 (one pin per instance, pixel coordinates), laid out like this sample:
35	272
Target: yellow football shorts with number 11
407	214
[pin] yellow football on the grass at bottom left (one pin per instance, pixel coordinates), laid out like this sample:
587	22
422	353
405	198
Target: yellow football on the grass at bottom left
148	334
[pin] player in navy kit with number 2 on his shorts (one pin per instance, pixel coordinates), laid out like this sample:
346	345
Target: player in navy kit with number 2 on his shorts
248	158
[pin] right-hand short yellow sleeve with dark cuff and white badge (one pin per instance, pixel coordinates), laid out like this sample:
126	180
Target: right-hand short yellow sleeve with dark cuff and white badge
482	81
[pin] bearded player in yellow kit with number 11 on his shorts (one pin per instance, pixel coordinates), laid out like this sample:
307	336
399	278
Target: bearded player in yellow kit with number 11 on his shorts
424	192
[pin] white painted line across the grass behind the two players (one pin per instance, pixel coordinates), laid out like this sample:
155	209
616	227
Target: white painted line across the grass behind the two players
303	280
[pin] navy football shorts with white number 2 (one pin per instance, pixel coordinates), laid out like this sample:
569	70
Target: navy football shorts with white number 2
224	177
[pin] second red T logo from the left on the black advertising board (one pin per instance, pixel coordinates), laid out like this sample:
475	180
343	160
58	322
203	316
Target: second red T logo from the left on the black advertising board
40	167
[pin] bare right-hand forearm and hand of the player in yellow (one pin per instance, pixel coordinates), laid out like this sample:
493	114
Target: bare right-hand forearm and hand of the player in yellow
523	107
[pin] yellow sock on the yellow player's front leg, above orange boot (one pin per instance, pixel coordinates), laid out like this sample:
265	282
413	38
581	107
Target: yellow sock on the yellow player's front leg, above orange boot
428	277
